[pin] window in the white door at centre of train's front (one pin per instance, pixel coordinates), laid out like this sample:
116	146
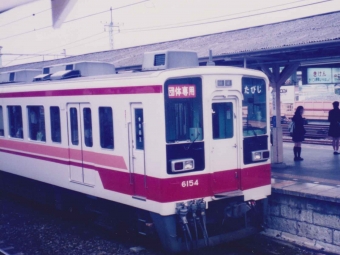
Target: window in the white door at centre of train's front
222	120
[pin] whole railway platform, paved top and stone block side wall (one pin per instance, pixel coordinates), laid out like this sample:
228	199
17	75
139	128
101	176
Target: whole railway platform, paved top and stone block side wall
304	206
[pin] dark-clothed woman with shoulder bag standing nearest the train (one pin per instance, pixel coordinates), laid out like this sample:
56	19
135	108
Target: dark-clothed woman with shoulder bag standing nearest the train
299	132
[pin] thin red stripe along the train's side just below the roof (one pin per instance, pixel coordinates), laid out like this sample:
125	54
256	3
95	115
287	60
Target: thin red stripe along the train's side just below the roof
146	89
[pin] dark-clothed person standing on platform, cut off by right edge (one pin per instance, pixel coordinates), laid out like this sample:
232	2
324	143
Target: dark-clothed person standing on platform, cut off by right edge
334	127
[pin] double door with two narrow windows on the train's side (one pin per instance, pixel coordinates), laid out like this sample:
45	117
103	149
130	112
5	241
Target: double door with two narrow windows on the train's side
80	137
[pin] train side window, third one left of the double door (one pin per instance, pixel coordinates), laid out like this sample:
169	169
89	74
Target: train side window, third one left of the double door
15	121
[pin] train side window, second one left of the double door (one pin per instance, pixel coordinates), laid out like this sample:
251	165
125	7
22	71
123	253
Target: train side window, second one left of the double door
36	123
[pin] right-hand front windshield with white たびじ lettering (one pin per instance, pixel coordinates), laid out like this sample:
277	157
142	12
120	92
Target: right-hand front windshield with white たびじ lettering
254	111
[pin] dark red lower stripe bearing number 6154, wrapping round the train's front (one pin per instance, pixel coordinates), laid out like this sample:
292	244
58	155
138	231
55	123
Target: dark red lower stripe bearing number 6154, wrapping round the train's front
169	189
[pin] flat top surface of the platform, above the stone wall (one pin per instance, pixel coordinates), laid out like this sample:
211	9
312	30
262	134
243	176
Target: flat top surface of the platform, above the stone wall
319	166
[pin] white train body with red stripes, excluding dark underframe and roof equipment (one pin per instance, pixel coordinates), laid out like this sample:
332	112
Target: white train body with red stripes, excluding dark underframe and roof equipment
144	167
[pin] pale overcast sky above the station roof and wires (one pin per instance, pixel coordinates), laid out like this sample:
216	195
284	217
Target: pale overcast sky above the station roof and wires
28	29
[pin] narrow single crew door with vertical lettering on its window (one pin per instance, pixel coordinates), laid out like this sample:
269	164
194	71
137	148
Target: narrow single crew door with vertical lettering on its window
137	155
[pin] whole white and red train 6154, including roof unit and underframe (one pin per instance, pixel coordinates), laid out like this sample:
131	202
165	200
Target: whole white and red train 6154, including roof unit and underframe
180	151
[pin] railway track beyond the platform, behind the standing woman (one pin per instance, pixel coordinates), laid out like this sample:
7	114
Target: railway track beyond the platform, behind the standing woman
316	134
